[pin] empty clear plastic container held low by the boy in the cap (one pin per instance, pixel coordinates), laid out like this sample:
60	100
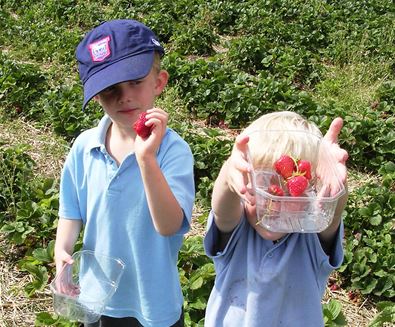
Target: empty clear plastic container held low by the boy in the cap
82	290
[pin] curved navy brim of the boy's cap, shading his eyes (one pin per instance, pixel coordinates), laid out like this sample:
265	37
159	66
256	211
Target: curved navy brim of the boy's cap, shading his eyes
128	69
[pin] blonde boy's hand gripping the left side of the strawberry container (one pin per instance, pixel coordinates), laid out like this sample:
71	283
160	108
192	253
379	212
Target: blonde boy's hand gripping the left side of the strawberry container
239	169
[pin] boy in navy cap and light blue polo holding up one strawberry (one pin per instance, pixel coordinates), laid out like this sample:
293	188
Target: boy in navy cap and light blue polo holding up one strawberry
133	195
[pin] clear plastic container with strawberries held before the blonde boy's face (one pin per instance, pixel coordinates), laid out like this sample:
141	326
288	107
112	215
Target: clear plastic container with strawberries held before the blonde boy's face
313	211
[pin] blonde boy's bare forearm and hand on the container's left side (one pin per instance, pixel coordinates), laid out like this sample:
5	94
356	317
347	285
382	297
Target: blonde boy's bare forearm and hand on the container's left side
231	186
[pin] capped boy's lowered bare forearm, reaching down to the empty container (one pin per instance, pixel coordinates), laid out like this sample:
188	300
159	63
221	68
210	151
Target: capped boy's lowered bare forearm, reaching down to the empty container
67	234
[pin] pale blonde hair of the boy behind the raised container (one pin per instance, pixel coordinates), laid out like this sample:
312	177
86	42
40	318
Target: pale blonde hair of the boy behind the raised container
279	133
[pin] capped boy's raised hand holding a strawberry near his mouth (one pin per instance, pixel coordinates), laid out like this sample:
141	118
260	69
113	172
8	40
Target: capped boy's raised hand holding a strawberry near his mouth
157	121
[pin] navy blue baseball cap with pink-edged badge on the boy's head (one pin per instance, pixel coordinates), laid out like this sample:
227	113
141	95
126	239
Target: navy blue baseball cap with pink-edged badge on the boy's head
116	51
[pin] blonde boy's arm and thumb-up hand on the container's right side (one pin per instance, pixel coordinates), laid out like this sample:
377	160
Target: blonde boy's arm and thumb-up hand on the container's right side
327	236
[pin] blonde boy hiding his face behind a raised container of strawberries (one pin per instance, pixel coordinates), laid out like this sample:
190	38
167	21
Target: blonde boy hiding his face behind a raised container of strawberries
266	278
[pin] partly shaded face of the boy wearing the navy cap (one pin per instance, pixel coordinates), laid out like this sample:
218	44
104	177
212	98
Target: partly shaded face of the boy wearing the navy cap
125	101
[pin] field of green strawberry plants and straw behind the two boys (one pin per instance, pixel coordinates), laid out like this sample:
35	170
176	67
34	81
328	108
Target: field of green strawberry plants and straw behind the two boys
229	62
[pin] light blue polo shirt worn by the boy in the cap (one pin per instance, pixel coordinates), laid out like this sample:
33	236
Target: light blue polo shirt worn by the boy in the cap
111	203
